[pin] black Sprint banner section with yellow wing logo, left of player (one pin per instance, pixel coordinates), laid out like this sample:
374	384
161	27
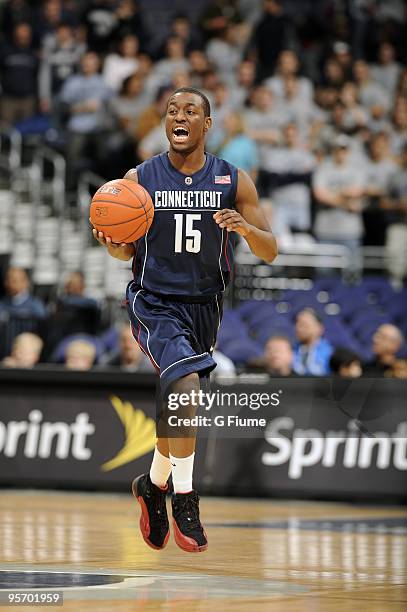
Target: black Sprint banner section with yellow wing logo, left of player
75	432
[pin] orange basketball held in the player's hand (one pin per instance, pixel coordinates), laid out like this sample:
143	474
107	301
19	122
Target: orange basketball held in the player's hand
122	209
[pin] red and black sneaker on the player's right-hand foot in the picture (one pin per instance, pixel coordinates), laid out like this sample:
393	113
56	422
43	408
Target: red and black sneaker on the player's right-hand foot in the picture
188	531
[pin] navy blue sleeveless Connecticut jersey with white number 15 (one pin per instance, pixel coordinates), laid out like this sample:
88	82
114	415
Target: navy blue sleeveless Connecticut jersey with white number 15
185	252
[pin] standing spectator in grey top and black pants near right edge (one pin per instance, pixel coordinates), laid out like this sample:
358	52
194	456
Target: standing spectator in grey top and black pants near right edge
379	173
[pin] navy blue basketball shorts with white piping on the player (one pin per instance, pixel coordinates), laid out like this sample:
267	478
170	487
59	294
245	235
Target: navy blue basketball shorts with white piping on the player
177	337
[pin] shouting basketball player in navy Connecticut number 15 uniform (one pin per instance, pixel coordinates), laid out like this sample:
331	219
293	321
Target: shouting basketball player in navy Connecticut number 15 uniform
181	268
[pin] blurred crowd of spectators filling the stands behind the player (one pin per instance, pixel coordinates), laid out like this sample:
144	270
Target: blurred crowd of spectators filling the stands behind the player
309	97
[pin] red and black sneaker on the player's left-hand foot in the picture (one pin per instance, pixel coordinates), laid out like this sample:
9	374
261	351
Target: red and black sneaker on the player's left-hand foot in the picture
154	519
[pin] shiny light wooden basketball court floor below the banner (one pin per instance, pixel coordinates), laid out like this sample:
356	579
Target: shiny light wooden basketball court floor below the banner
263	556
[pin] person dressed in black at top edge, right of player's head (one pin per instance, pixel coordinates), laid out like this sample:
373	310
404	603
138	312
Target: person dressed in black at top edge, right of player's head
270	36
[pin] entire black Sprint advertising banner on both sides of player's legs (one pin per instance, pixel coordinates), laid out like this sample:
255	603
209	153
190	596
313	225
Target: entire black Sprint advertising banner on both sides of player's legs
302	437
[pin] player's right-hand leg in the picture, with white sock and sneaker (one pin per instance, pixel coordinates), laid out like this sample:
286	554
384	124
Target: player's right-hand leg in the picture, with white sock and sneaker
187	528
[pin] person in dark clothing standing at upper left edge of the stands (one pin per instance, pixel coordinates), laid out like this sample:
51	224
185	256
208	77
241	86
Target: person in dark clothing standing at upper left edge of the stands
18	71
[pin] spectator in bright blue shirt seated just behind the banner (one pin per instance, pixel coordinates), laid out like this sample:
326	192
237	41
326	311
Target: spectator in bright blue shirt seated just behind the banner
312	352
